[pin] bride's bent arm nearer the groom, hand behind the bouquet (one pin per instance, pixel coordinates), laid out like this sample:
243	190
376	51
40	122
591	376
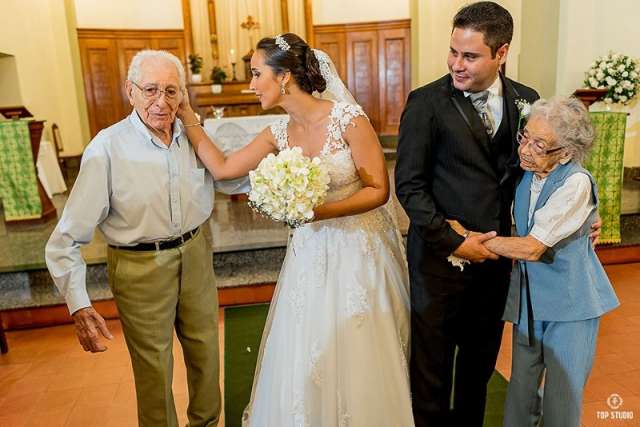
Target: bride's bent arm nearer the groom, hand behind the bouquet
369	161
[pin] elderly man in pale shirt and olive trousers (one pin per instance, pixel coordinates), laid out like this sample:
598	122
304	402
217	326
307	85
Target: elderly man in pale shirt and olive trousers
140	183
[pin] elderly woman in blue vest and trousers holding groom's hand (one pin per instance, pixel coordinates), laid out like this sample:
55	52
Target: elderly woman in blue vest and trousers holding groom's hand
559	289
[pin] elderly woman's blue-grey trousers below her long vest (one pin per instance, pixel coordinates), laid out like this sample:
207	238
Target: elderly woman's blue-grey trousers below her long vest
562	354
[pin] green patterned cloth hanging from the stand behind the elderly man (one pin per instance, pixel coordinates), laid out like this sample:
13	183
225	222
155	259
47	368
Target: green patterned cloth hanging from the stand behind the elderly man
18	181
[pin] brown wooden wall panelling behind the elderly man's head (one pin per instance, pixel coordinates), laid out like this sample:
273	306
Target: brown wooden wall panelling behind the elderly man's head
106	55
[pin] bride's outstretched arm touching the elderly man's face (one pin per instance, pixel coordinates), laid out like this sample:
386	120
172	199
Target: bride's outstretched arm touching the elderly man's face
238	163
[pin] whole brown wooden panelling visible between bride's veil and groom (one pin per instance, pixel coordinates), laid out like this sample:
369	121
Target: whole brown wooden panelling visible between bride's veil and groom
374	60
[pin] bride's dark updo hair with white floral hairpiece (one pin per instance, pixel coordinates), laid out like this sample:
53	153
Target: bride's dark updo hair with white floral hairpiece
288	52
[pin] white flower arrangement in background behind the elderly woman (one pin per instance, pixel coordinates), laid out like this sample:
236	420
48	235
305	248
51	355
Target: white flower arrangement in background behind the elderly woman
618	73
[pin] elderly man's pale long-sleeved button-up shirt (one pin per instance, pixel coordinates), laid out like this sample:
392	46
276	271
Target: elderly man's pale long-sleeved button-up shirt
134	189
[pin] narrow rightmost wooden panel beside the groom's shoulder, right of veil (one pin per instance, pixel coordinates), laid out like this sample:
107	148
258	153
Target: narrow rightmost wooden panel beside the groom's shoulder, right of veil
394	59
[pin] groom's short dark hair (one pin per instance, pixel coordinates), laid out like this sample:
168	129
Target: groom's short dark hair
492	20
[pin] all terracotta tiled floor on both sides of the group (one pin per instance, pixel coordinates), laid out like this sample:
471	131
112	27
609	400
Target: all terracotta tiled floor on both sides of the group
47	380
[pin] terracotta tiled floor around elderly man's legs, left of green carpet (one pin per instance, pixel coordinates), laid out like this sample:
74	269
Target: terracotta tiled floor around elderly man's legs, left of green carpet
46	379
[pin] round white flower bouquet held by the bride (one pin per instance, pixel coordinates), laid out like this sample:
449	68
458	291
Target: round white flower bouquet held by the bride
286	187
